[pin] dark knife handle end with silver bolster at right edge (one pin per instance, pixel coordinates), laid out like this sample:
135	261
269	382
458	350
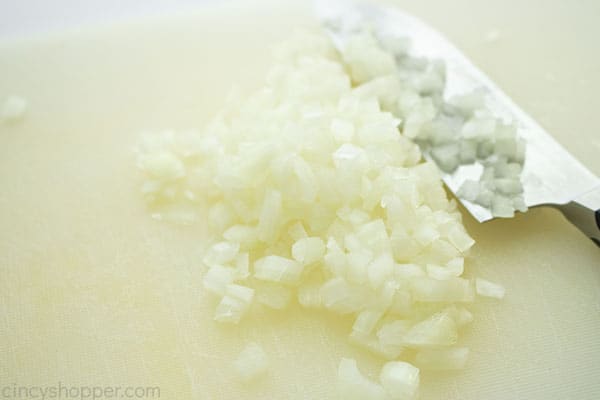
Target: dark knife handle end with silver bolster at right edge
584	213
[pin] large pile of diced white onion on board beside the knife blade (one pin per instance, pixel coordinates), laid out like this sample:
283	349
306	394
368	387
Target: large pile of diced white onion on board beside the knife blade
317	195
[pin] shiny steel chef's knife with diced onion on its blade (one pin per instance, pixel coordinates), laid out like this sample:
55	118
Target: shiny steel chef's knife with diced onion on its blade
550	175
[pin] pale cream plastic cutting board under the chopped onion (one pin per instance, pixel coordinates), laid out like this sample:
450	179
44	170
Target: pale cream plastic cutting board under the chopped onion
95	292
